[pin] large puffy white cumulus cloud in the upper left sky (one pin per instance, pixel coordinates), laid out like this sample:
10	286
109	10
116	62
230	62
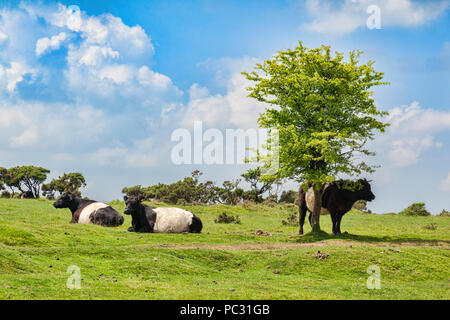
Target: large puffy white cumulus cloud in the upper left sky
107	60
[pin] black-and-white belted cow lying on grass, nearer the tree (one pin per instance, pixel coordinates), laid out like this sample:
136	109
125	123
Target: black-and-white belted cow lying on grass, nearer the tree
160	220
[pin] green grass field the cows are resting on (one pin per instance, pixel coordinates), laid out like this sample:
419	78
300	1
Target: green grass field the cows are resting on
225	261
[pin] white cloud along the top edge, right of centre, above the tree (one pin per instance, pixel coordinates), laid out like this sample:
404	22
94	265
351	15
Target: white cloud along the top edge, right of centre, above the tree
329	17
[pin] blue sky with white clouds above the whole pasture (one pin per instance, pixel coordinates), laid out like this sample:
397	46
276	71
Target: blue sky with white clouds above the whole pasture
100	92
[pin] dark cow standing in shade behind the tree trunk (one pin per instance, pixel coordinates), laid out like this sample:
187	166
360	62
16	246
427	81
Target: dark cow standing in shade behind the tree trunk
335	200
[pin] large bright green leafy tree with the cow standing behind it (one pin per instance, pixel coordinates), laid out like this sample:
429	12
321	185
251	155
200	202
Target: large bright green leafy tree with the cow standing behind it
323	110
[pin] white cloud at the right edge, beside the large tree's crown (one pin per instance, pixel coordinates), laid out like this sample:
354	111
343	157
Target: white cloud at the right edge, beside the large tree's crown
412	132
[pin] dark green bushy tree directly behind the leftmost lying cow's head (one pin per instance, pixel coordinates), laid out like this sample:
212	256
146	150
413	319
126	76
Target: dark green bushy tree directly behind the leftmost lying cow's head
68	182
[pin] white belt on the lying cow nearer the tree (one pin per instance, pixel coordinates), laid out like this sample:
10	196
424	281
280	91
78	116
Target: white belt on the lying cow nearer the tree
172	220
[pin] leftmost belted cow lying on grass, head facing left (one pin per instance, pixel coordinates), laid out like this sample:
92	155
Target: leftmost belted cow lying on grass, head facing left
89	211
